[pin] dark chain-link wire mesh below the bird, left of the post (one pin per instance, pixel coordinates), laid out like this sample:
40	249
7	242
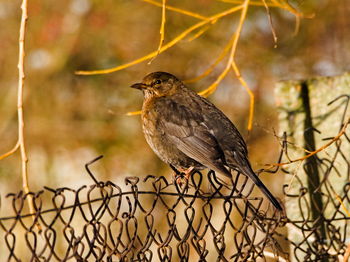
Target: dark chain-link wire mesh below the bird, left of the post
105	222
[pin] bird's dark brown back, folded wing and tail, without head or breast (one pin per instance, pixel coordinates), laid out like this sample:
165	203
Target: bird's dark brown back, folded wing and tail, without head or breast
207	136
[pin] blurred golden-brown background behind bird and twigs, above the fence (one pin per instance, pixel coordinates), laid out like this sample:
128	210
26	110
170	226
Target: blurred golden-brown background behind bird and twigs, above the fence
71	119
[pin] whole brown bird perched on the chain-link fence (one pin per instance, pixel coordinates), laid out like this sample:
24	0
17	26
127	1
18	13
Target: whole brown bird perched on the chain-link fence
189	133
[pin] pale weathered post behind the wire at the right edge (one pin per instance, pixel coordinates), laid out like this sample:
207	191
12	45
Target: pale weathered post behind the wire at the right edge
315	186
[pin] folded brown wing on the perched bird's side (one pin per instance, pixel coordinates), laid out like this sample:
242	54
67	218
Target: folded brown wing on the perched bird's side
186	129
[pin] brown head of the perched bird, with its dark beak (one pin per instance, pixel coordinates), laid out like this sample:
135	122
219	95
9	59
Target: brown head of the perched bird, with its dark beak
158	84
